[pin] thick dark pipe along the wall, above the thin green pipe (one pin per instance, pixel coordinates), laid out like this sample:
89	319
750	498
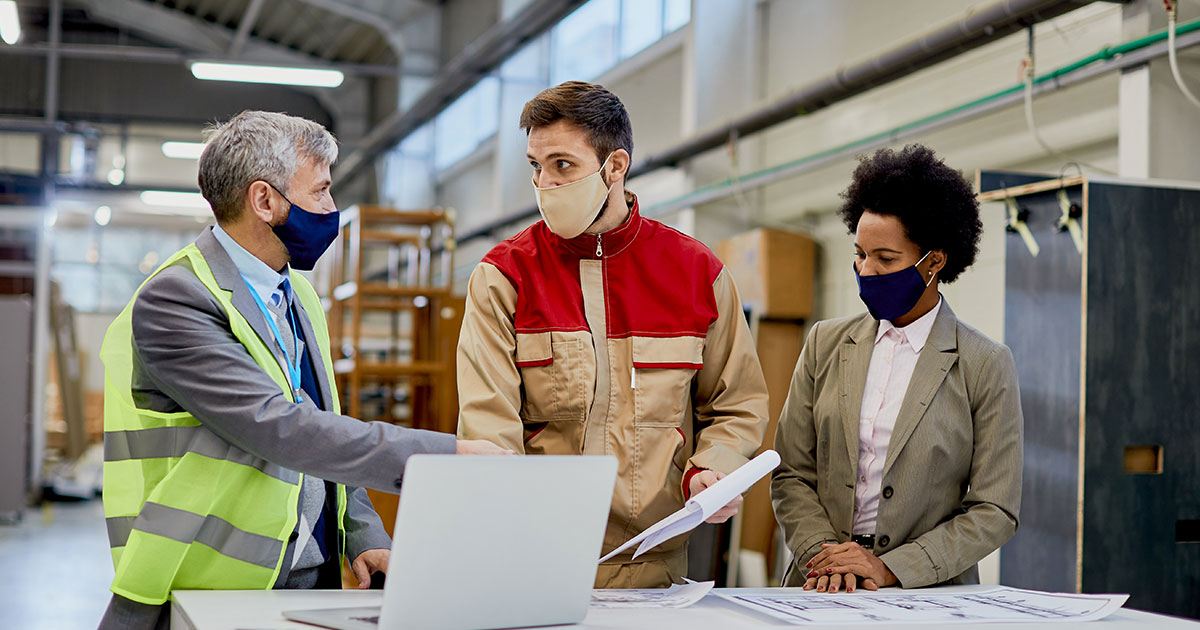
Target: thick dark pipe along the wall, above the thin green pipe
973	31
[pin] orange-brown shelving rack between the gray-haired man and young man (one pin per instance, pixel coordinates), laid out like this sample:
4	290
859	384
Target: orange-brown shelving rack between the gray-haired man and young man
393	317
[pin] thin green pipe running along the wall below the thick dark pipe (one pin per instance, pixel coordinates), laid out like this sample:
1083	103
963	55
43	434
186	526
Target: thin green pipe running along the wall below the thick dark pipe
1103	55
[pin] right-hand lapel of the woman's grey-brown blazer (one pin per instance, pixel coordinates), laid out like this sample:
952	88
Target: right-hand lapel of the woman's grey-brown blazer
937	359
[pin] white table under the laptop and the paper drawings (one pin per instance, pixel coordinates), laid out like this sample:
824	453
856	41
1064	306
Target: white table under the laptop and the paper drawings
261	610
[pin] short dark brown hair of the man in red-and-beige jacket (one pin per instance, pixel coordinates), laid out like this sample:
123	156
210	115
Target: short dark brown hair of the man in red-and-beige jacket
587	105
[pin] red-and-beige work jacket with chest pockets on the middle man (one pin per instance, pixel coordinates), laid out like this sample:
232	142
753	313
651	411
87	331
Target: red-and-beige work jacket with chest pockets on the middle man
631	344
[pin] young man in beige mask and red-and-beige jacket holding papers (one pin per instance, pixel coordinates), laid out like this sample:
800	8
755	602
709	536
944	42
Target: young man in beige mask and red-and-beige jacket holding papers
599	332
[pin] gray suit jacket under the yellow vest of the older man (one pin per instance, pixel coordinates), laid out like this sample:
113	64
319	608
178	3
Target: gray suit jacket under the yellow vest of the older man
187	358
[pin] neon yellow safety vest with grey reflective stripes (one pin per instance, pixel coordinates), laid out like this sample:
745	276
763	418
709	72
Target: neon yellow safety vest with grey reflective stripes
184	508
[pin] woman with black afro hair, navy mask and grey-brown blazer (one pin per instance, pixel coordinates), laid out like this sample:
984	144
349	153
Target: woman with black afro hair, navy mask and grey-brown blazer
902	435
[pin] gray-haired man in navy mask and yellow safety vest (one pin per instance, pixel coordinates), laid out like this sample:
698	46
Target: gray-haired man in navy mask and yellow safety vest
227	463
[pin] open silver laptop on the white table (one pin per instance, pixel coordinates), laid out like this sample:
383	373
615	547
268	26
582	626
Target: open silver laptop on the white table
490	542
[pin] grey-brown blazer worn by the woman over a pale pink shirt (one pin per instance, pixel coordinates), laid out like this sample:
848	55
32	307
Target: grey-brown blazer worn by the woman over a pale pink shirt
952	478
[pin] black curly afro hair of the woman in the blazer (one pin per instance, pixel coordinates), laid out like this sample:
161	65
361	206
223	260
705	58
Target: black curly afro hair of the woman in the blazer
934	203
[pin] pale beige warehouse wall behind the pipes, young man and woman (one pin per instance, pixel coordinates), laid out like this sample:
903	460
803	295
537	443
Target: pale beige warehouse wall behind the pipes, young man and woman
739	55
